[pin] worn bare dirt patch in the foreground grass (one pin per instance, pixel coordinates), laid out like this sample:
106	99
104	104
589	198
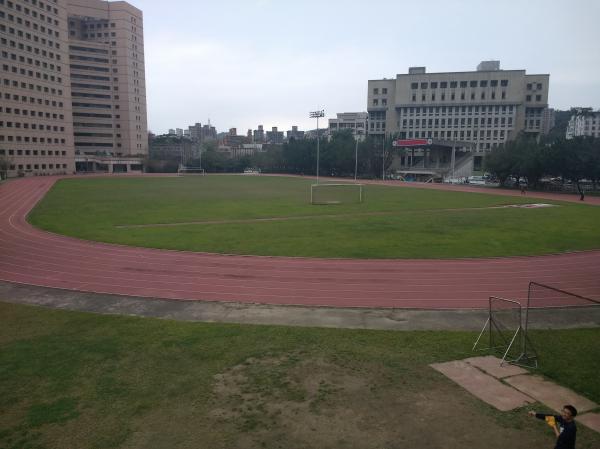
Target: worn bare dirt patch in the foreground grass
303	402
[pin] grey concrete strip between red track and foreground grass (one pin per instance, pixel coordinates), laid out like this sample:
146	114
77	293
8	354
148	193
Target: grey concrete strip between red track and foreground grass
229	312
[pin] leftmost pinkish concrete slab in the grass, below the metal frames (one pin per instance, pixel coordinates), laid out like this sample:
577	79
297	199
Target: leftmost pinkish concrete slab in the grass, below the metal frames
482	385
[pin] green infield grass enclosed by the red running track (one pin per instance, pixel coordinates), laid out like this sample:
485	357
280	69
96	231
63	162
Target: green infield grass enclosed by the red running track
221	213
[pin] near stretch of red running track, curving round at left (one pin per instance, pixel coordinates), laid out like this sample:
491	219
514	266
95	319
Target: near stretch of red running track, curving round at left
32	256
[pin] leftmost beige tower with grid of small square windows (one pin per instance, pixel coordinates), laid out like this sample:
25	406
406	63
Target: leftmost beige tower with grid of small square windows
36	128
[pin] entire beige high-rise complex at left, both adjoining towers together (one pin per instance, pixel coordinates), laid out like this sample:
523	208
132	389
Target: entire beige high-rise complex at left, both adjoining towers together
73	86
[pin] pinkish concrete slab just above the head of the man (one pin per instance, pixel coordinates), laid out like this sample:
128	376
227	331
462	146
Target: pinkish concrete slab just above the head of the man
549	393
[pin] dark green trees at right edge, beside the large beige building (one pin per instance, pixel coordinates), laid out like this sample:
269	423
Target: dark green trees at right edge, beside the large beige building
575	160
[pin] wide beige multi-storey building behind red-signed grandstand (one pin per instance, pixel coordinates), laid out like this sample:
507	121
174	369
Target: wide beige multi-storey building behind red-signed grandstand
482	108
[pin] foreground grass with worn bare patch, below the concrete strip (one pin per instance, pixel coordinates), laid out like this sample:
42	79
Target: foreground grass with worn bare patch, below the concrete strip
70	379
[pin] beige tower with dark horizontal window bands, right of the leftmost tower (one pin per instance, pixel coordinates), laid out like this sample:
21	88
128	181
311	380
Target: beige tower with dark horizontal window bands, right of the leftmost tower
106	52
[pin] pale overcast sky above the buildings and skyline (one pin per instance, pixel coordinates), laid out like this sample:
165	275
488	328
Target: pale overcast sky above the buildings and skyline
270	62
